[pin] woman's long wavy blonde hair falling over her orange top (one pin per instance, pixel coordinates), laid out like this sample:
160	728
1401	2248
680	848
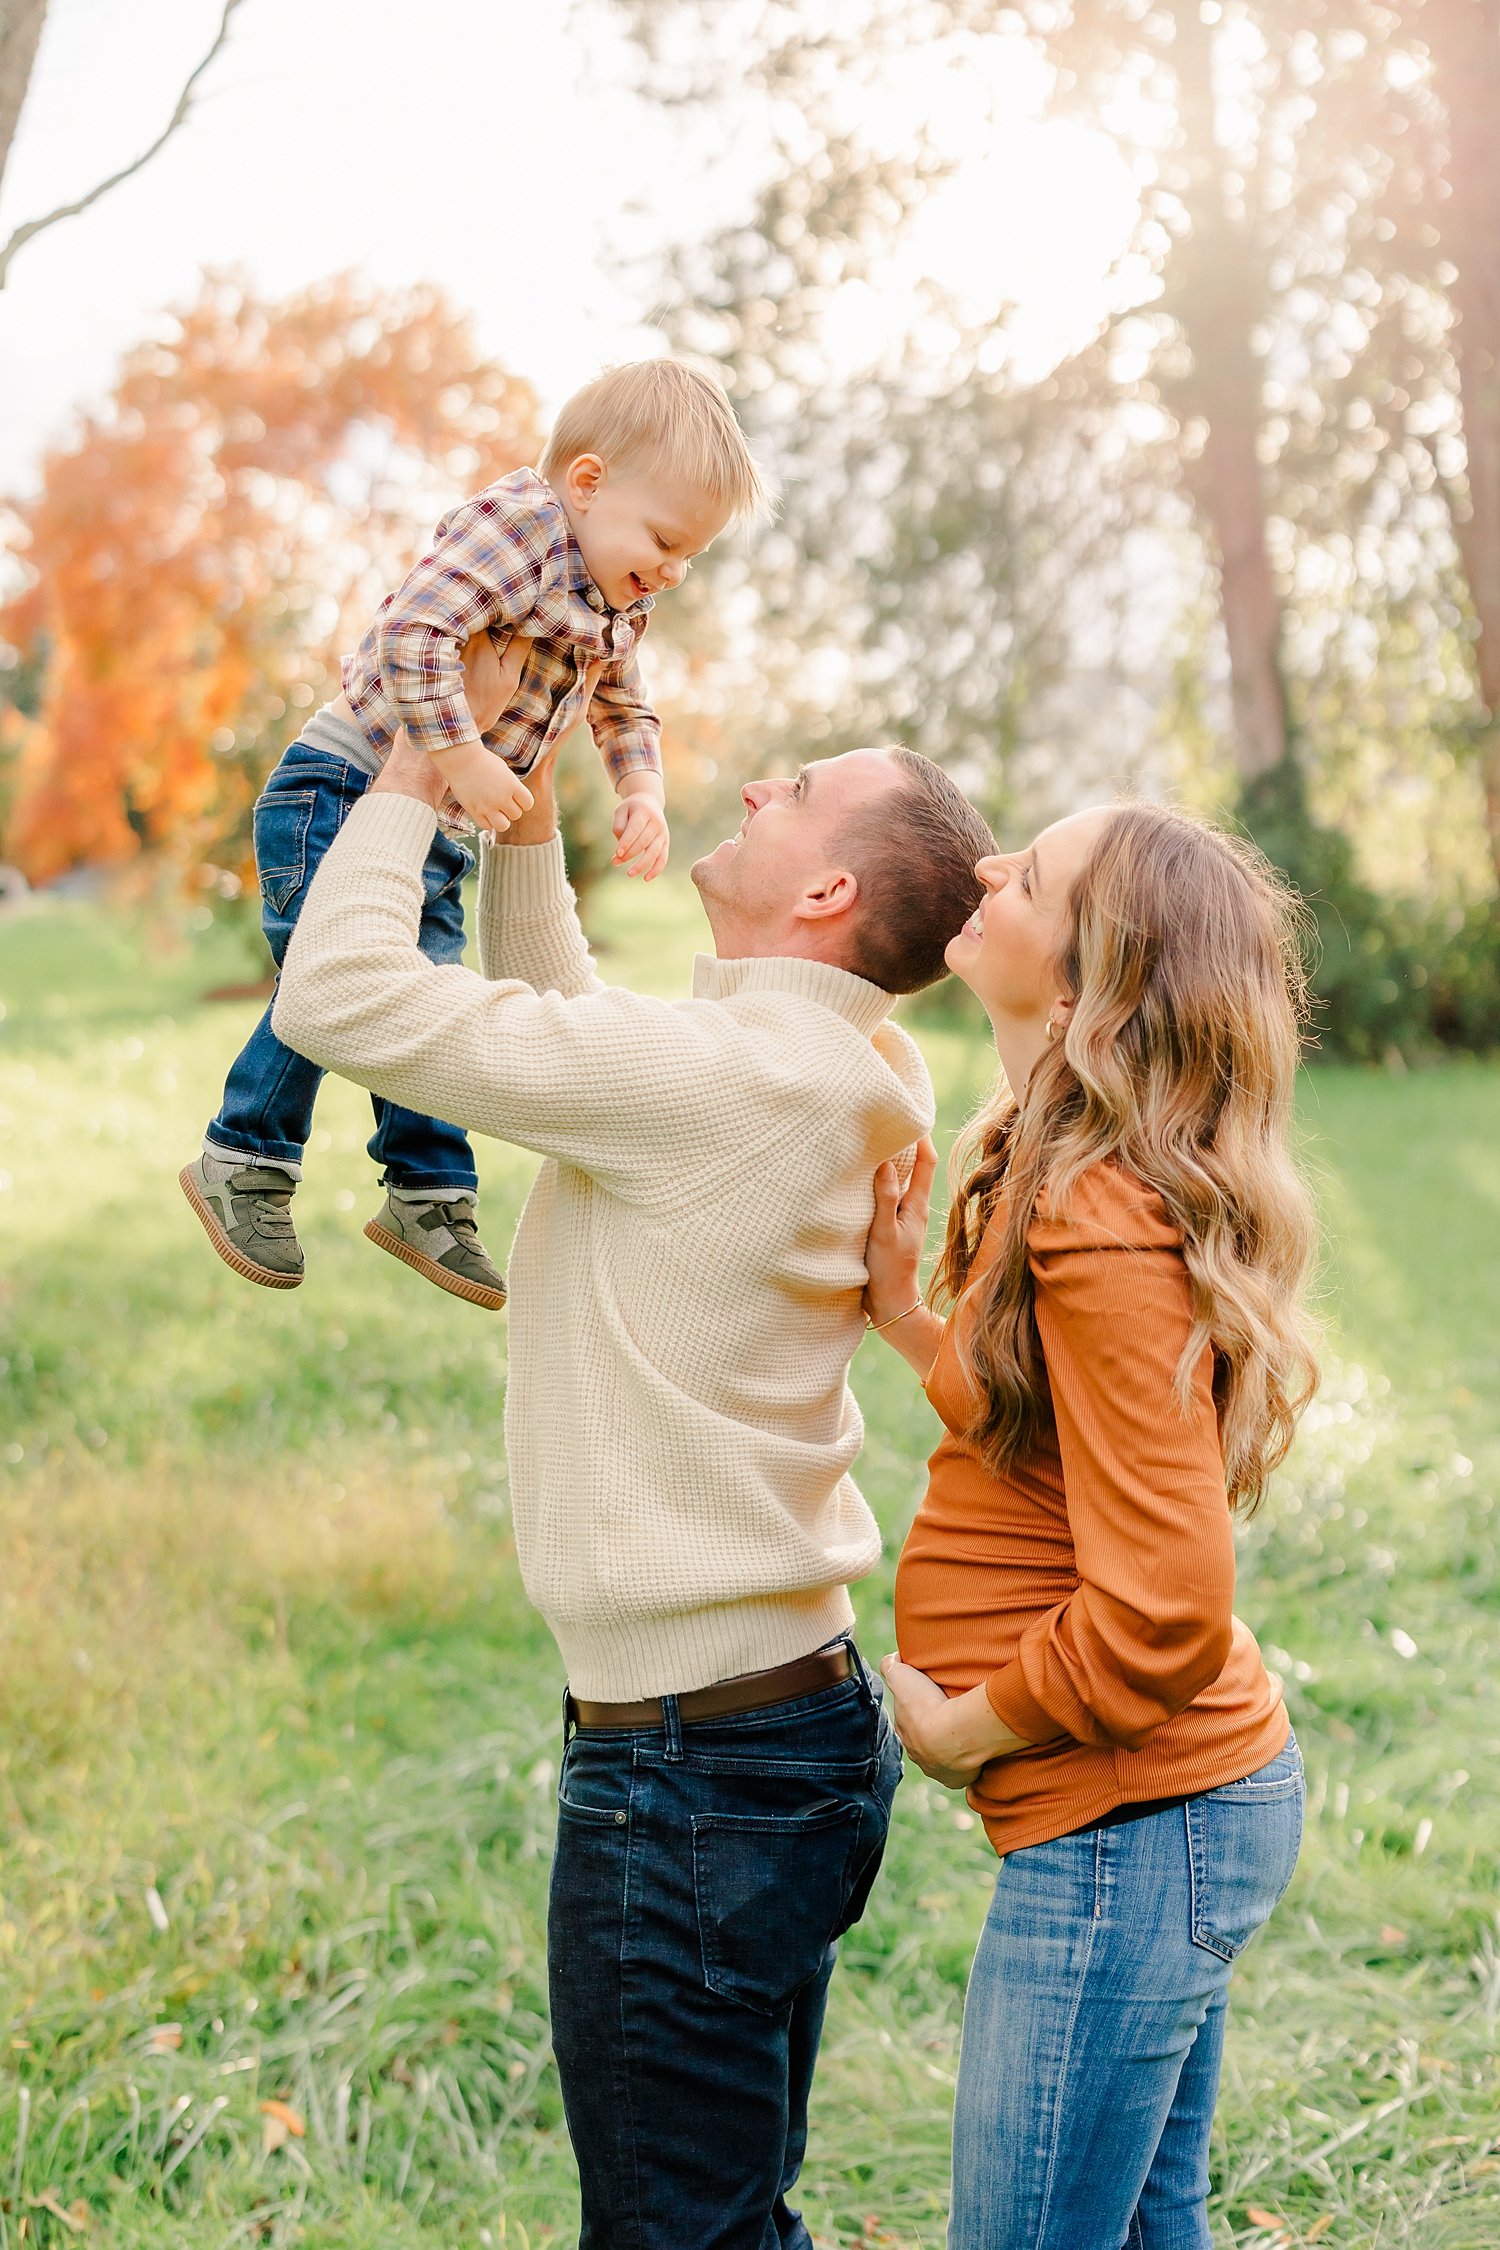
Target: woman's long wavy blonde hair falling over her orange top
1189	998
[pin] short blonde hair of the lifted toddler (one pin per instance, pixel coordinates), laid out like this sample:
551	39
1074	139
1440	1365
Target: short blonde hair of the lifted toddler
662	415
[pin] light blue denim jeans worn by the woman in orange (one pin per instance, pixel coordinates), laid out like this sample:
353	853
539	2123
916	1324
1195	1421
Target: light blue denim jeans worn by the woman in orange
1094	2026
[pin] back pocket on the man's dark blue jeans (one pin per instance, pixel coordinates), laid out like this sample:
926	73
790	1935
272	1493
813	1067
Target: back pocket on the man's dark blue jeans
772	1893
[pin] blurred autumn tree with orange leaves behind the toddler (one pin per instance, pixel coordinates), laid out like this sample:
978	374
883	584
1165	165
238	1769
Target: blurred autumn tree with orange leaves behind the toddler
206	546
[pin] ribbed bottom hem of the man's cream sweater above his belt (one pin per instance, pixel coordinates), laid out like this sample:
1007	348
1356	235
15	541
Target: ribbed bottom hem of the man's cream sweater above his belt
638	1657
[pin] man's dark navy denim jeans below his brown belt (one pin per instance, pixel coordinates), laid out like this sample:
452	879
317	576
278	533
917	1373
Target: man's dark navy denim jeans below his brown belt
701	1882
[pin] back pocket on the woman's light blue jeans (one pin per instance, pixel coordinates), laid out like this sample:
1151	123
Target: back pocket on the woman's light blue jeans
1243	1853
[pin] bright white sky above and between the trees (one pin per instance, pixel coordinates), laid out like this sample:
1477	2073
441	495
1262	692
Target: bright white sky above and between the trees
485	145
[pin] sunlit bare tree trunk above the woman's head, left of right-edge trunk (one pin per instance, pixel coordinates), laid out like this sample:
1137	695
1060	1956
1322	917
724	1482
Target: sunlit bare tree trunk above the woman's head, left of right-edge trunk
1216	291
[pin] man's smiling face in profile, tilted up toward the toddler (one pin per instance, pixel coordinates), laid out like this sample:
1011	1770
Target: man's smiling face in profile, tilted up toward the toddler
779	883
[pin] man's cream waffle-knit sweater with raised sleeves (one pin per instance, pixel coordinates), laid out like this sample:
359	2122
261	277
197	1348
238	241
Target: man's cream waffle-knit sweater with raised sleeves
687	1277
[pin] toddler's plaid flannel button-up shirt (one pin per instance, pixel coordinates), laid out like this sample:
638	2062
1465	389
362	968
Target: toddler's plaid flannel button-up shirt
507	561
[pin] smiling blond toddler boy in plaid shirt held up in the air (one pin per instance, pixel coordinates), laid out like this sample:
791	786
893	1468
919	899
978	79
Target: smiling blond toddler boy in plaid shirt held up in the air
642	471
